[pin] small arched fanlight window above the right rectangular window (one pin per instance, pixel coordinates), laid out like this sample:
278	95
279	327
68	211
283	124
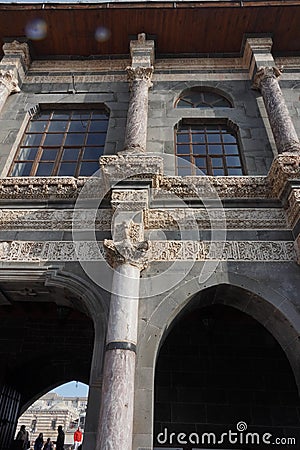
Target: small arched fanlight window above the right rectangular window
201	98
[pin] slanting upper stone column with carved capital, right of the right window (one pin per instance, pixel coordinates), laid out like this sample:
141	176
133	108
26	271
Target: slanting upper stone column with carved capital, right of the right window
285	135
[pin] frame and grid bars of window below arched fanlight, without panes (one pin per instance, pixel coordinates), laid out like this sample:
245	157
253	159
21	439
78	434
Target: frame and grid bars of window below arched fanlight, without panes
195	168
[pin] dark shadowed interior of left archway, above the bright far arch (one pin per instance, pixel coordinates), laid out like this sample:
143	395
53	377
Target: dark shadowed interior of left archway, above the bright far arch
46	339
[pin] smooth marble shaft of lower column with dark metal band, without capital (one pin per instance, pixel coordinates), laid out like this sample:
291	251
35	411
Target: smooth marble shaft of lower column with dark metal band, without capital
116	418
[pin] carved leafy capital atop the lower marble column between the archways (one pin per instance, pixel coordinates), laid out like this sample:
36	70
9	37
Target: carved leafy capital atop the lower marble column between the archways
127	246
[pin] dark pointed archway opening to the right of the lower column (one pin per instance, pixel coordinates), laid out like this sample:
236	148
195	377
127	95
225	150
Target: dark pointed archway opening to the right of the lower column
218	369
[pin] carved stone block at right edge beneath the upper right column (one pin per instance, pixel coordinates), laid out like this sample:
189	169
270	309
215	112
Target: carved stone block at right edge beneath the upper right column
284	167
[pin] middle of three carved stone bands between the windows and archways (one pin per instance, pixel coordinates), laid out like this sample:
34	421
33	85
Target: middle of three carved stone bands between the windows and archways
167	219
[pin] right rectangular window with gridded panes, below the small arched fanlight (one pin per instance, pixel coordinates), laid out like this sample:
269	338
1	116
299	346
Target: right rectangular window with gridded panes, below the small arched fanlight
211	147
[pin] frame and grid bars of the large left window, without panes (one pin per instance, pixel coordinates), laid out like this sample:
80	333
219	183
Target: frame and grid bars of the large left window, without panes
59	149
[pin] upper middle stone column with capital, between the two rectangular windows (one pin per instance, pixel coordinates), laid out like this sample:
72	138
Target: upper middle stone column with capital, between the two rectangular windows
139	77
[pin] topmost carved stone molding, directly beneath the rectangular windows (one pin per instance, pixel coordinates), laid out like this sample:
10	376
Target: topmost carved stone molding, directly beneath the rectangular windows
125	167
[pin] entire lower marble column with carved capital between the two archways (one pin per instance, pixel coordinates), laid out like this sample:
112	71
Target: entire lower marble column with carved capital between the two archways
127	254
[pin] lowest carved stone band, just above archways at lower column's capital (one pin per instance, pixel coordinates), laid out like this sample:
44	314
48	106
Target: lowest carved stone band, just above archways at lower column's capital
64	251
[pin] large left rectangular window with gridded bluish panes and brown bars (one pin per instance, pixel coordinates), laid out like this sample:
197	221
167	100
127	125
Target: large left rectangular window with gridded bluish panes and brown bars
62	142
